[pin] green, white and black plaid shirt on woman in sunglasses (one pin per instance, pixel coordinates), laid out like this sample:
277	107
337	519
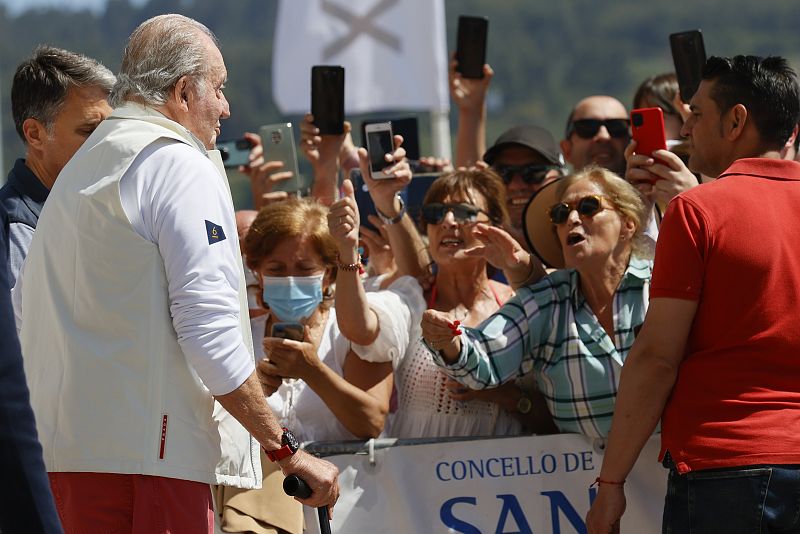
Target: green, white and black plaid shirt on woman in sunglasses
549	328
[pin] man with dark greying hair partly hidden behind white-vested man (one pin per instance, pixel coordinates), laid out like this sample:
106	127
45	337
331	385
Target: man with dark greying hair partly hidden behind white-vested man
58	98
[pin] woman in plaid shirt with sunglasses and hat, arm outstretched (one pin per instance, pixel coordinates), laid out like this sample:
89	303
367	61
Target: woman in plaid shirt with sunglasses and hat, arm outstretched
575	326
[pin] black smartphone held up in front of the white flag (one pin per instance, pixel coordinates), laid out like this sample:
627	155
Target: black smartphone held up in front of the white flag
327	98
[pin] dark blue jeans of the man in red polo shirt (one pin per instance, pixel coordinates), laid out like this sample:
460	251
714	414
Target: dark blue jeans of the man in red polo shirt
746	500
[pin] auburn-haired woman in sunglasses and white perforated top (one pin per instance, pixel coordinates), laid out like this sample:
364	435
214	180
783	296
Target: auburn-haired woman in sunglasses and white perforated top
429	404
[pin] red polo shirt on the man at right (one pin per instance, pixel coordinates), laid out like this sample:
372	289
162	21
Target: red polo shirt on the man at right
733	246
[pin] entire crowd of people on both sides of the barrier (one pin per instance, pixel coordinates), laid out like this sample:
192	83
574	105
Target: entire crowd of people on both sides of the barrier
547	287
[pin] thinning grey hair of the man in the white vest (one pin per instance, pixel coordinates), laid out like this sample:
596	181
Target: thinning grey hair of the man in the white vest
160	52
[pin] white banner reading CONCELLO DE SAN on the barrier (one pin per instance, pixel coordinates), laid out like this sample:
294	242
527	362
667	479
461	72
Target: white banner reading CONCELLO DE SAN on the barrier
520	485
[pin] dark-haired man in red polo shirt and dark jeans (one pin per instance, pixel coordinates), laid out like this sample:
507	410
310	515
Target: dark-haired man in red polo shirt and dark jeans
717	358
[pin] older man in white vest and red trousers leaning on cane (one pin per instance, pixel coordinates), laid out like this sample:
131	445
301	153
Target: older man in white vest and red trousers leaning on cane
136	270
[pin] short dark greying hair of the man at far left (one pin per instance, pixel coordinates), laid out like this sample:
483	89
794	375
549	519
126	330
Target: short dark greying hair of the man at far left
42	81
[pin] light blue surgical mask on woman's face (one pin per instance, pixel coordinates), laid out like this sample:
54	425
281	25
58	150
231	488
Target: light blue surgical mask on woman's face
293	298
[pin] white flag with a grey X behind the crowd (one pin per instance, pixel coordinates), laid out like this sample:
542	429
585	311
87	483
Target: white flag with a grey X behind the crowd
394	53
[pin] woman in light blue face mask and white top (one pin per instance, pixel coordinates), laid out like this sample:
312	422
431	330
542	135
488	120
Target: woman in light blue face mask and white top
322	387
